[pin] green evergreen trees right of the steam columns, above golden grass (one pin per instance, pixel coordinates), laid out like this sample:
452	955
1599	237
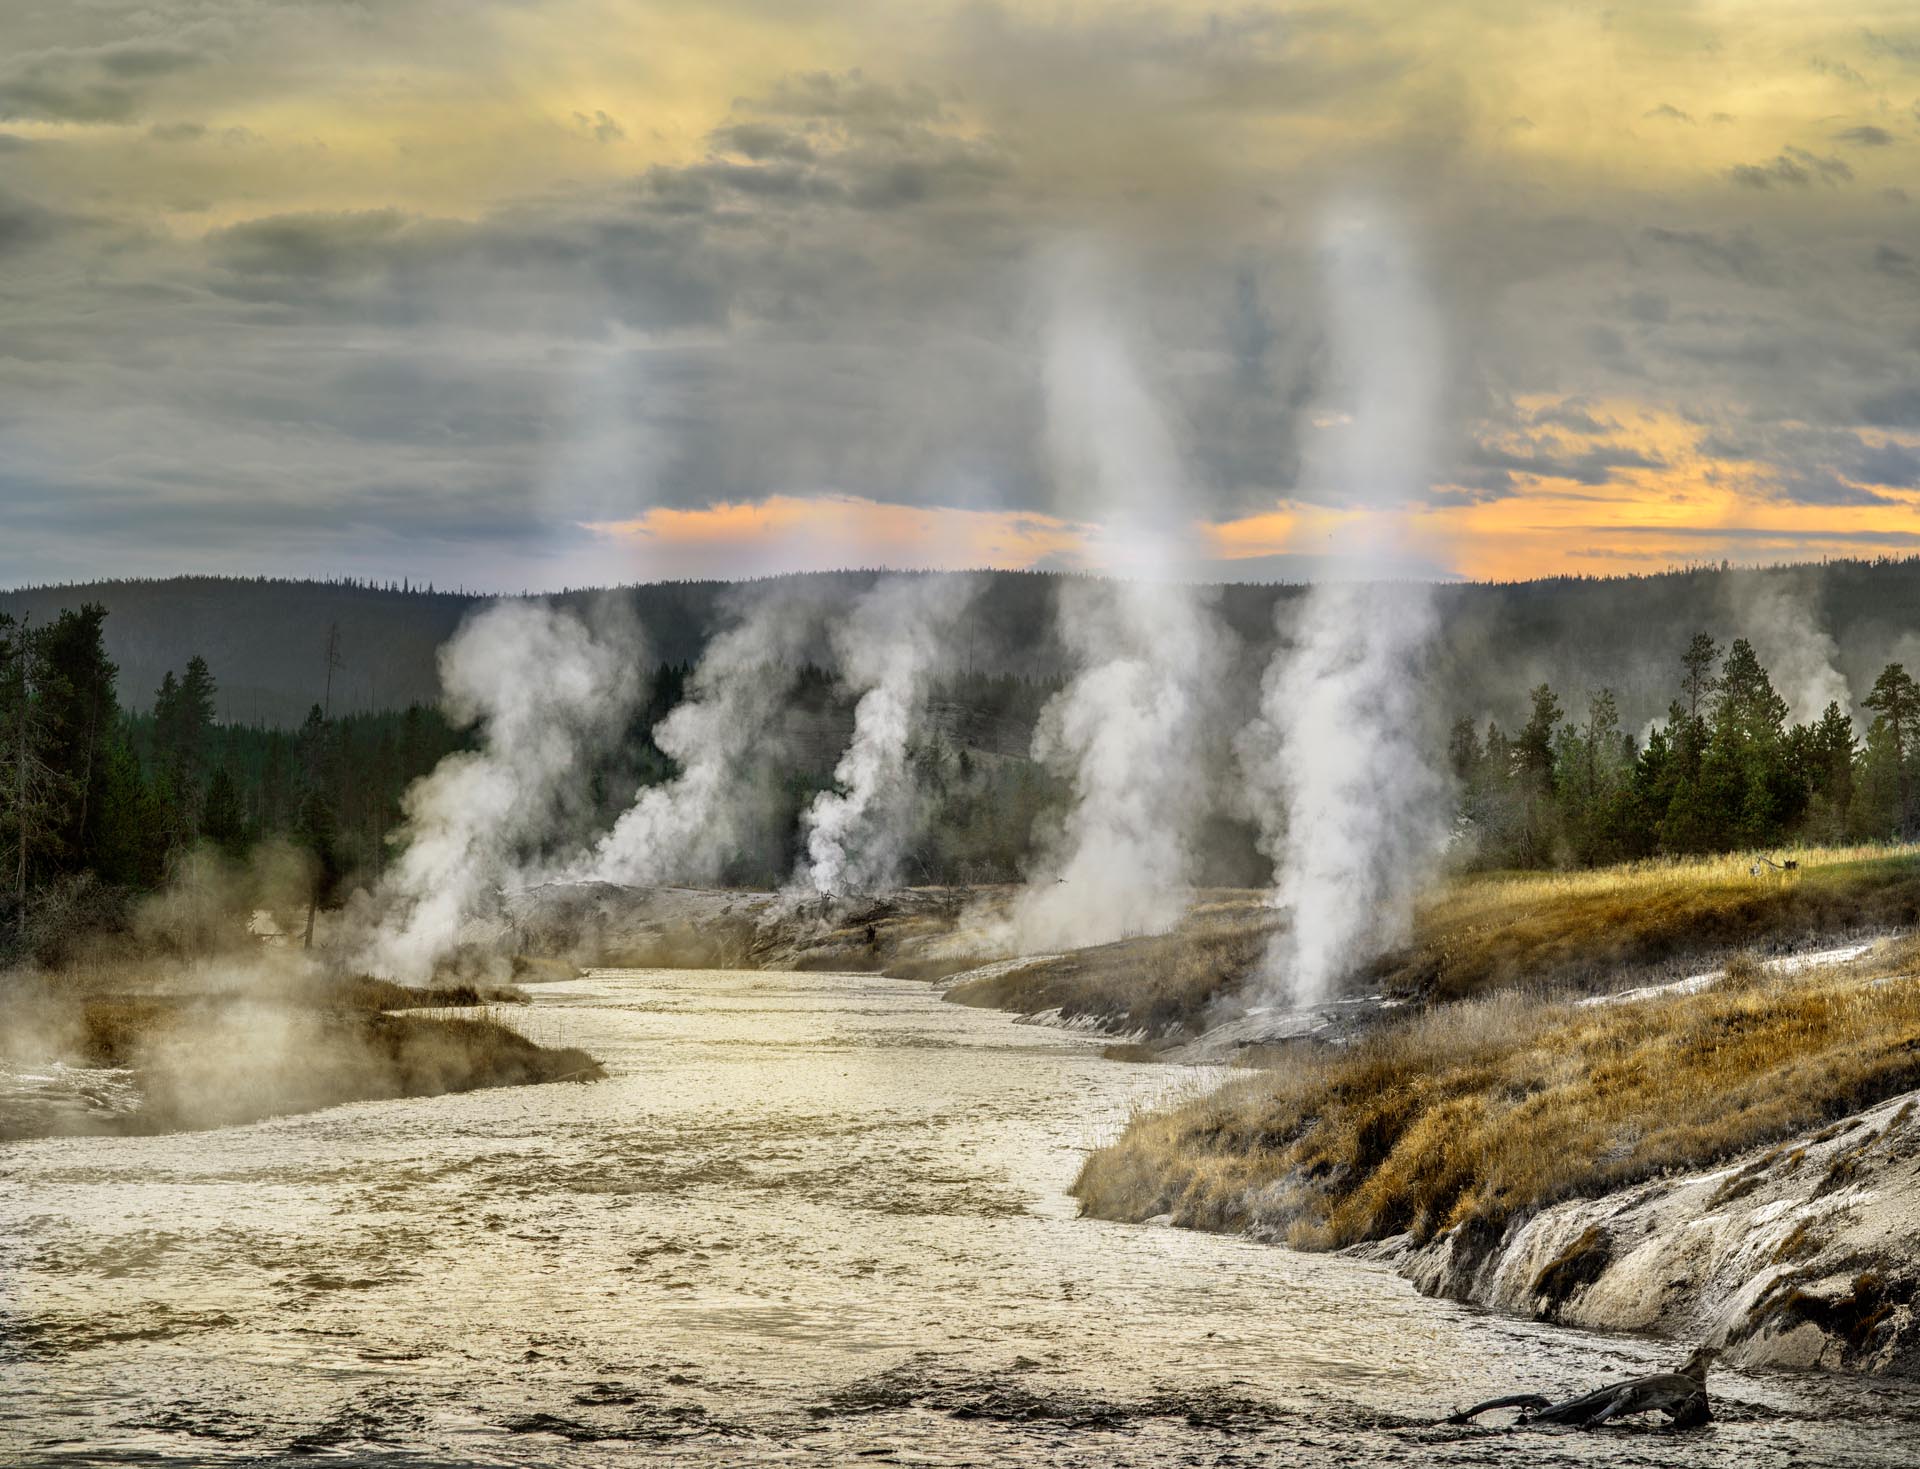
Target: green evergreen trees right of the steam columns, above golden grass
1725	773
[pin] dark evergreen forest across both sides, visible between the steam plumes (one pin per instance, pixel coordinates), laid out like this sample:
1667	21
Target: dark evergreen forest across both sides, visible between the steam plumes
101	802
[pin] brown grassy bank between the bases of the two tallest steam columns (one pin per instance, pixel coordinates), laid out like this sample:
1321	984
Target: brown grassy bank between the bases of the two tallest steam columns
1163	984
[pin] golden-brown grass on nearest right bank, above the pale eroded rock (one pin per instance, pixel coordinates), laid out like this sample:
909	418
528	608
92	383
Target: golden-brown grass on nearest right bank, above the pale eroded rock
1474	1113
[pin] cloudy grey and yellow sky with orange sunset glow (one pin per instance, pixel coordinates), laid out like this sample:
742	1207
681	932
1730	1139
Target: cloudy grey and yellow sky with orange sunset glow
556	293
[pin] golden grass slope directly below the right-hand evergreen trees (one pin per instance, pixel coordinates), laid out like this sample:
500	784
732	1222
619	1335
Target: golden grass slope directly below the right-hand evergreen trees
1610	927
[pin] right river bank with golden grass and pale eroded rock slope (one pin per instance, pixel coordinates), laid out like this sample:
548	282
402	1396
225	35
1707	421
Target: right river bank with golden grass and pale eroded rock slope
1723	1157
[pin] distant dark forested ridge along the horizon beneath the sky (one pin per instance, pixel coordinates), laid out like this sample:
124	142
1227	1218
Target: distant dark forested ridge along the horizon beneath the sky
266	638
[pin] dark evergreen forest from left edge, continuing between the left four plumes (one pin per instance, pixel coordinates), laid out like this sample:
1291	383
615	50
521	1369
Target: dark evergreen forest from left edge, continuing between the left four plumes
101	804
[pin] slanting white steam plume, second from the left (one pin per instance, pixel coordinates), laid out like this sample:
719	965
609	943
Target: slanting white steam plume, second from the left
723	736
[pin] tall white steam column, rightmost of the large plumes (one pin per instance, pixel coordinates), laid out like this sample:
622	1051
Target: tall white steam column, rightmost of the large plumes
1337	763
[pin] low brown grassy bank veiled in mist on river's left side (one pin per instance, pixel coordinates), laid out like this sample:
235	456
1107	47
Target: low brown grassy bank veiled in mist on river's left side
208	1051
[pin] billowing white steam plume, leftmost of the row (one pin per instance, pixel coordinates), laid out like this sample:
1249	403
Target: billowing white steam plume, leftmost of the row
546	692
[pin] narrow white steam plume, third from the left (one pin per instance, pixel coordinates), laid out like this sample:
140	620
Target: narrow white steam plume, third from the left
888	648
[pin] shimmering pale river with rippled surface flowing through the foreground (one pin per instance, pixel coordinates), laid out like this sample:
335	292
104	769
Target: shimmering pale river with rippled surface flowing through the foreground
809	1218
